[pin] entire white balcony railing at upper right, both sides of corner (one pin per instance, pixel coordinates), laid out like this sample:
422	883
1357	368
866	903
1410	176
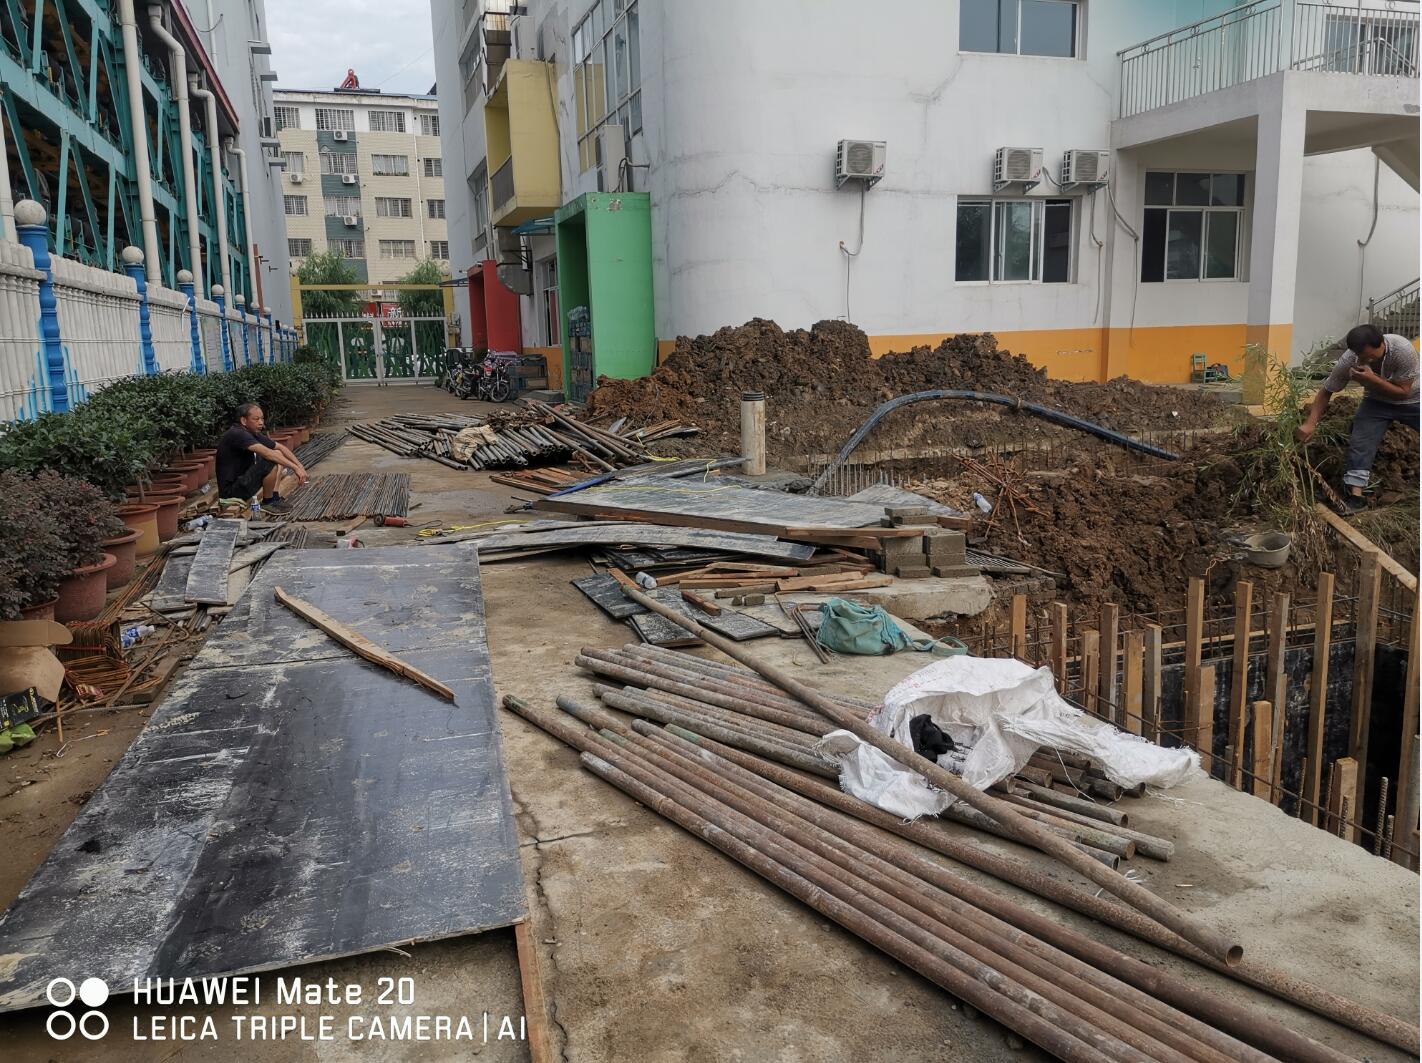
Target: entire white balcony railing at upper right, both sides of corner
1249	43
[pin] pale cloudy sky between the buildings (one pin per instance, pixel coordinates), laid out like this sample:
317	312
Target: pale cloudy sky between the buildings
386	42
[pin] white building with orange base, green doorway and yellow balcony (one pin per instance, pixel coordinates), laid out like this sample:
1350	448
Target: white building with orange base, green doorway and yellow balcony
1111	187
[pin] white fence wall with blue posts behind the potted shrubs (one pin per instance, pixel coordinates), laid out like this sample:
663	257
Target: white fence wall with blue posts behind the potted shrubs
69	329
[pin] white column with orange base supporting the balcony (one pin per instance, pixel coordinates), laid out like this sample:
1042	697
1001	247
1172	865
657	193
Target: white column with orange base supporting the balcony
1273	262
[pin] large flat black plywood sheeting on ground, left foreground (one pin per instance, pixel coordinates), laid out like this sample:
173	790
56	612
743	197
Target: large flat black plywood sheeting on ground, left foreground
288	801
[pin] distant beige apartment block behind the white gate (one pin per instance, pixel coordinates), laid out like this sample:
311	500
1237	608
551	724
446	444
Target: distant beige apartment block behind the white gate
365	178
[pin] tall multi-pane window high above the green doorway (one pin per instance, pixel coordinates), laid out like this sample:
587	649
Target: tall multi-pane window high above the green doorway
606	75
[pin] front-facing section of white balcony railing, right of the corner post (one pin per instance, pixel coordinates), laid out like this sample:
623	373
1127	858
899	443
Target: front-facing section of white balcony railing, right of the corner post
1380	42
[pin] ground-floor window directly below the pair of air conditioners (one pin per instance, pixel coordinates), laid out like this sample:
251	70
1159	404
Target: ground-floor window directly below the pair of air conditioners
1015	241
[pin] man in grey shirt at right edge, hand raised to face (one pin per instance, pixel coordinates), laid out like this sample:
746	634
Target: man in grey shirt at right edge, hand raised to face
1387	369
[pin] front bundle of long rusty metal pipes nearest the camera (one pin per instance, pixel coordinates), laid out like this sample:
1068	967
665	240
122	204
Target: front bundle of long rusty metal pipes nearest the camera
1053	986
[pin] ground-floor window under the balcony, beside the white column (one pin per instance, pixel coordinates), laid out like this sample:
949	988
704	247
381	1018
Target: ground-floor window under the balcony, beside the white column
1194	227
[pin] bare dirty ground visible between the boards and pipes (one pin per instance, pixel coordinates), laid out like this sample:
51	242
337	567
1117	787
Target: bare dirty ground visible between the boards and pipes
655	947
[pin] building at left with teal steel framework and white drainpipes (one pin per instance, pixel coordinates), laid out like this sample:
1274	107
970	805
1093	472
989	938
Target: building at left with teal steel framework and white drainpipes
196	191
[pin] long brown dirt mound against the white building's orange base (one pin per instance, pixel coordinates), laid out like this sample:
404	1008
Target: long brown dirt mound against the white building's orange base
823	383
